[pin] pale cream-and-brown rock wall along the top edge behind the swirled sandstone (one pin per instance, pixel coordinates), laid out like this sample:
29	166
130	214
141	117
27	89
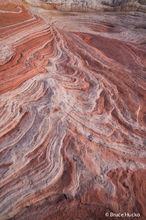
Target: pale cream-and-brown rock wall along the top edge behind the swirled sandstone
93	5
